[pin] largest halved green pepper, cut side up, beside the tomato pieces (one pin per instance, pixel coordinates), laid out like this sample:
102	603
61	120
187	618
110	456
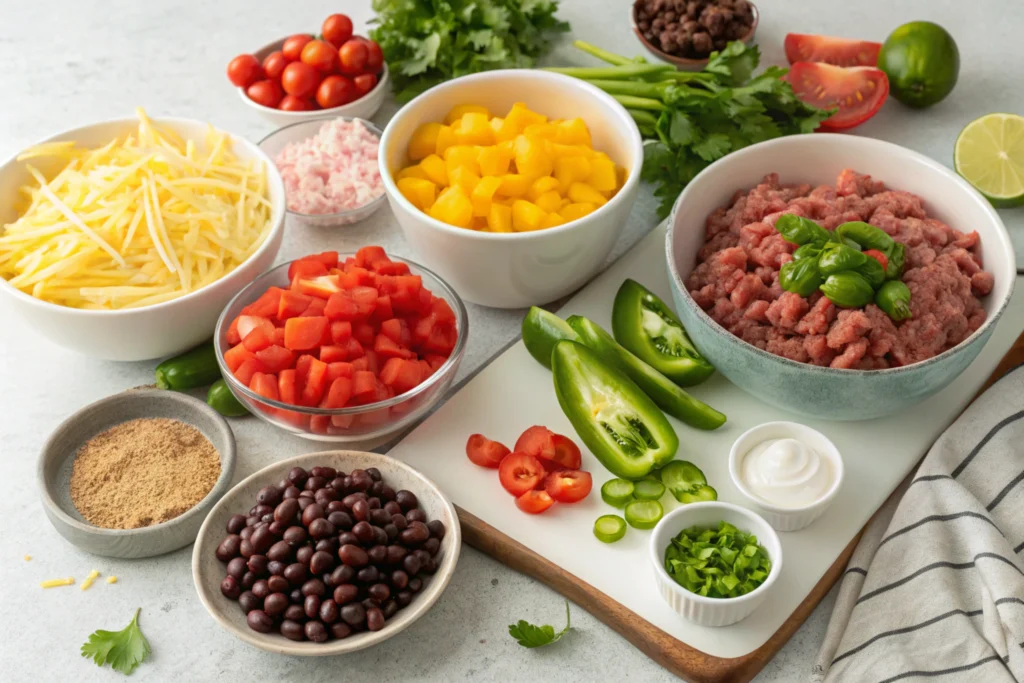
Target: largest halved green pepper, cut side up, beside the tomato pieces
624	429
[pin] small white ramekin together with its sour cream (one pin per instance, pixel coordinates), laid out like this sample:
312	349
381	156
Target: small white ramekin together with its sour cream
789	472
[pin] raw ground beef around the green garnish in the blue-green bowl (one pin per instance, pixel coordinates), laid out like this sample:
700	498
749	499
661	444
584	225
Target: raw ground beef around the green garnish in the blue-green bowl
737	277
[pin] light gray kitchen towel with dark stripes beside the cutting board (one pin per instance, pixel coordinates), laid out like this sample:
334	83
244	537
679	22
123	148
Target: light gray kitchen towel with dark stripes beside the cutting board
935	589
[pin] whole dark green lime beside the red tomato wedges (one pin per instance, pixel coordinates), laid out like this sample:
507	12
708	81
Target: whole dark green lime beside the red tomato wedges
922	62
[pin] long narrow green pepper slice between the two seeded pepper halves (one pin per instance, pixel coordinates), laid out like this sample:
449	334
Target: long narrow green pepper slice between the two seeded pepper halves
670	398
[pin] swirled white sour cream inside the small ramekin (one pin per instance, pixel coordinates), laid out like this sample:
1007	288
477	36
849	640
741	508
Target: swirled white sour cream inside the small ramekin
787	474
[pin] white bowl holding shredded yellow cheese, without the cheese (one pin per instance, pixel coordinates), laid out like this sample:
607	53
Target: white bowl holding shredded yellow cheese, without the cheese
152	332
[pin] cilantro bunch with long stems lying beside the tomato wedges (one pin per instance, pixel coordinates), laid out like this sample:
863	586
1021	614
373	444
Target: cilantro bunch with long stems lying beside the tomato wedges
694	119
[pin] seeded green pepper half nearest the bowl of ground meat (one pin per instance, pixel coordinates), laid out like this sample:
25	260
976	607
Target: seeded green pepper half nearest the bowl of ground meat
647	327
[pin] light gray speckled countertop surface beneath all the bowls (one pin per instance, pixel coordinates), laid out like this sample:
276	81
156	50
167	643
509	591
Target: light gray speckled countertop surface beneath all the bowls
72	62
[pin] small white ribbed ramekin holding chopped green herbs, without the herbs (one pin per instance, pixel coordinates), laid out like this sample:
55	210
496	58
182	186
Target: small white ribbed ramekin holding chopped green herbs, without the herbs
697	609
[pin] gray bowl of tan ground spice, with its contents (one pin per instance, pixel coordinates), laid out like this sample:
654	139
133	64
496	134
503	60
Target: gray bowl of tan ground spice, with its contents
135	476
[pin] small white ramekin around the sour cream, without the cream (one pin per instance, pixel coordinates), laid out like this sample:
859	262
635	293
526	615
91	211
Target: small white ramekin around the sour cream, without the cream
787	520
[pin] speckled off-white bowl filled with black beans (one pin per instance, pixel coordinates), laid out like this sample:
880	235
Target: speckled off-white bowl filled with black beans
326	553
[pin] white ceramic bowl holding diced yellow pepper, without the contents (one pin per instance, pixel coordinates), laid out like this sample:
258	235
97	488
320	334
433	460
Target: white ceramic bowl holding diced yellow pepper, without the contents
513	271
